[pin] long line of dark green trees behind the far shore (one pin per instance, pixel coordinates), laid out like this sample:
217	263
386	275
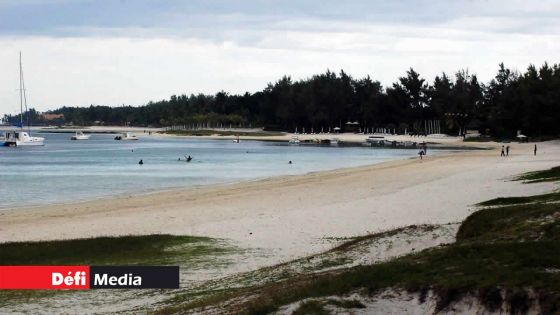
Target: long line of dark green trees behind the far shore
510	101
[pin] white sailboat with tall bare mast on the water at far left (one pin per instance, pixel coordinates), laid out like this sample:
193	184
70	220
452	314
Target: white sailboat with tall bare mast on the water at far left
19	137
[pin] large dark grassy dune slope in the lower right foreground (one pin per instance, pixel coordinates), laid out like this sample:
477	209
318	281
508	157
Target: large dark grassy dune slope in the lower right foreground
507	249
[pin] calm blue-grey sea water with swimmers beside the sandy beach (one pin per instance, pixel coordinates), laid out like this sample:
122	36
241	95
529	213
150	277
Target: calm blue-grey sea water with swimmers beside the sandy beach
65	170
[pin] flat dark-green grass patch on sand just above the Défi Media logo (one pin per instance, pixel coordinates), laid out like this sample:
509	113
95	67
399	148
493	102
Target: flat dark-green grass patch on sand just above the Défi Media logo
155	249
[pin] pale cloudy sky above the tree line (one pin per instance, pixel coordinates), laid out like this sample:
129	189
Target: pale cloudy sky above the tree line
114	52
